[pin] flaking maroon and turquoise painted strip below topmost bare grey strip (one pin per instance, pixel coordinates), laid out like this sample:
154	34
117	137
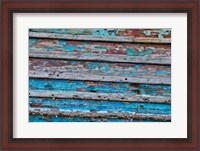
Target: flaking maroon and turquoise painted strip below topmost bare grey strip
129	49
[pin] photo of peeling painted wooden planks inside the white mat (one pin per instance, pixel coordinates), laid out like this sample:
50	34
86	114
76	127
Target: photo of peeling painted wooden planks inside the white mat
102	75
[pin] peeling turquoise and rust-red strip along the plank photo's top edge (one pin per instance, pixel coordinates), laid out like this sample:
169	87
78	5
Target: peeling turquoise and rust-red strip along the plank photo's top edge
158	33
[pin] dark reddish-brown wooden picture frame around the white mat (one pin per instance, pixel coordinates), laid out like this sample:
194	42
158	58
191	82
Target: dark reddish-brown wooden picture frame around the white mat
191	7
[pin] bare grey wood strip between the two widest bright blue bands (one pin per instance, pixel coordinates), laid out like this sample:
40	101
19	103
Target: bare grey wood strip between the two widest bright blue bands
100	96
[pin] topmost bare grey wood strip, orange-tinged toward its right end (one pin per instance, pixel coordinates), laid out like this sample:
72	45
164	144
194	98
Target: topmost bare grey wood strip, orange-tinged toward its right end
130	39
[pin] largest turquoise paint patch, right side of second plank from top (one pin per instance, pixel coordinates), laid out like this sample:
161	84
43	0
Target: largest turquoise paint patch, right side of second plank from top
132	52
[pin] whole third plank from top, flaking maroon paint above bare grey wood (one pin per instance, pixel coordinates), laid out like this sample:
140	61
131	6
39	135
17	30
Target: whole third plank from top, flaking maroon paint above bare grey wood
100	70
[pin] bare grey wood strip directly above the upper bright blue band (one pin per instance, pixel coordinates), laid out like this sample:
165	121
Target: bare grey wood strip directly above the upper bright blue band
81	76
